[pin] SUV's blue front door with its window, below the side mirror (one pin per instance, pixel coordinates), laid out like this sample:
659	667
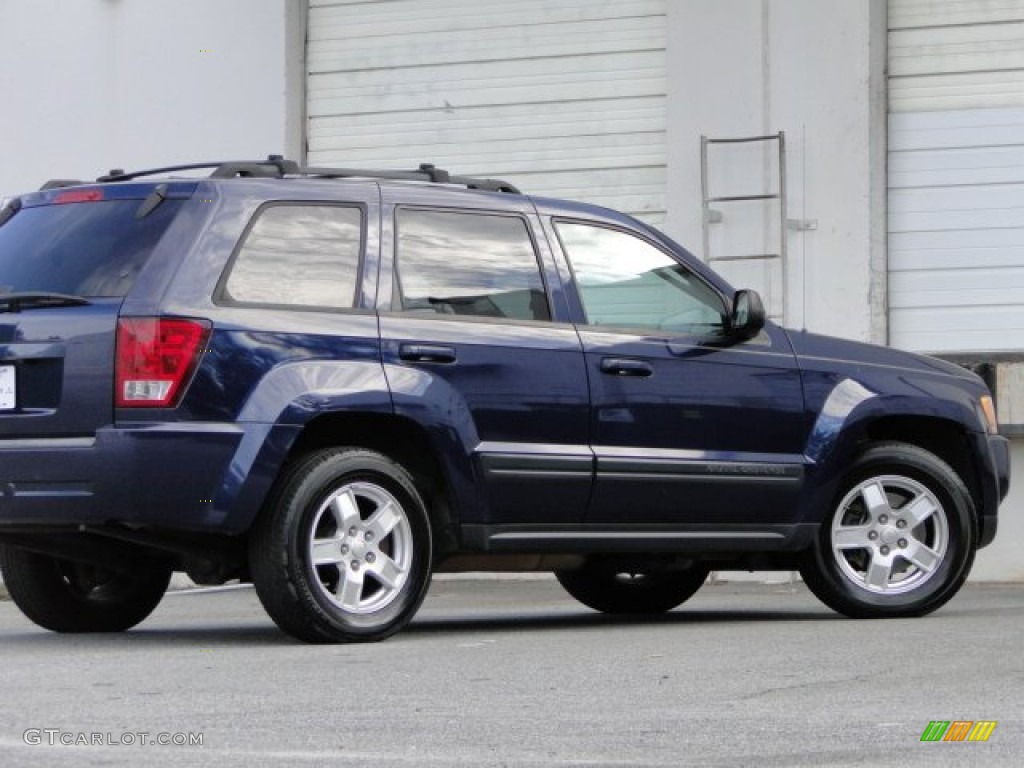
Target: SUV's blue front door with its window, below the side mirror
690	428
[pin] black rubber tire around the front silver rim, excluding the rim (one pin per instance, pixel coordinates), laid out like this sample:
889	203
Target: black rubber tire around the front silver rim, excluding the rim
949	490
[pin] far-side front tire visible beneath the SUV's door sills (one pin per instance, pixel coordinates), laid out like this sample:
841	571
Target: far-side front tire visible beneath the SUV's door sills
605	587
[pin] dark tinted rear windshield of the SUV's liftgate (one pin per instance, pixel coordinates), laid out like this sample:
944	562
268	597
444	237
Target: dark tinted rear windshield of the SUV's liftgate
86	249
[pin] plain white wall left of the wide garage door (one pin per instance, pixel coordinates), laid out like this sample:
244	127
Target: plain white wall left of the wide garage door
92	84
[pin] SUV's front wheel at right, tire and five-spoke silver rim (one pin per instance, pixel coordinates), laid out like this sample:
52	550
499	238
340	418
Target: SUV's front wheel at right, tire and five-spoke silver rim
910	556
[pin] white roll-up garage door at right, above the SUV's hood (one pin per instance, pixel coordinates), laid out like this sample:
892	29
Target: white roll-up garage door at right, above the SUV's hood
957	176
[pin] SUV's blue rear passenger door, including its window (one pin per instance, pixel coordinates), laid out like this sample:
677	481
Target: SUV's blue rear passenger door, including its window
479	349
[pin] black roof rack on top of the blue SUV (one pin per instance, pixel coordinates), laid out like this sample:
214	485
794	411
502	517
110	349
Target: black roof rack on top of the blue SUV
277	167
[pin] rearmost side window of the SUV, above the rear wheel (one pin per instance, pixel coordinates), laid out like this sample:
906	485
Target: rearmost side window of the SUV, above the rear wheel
304	255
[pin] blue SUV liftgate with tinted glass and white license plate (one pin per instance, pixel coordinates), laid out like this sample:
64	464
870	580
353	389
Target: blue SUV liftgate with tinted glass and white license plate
68	258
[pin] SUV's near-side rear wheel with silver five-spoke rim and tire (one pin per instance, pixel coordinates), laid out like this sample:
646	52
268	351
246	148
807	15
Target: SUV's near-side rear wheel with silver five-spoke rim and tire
331	498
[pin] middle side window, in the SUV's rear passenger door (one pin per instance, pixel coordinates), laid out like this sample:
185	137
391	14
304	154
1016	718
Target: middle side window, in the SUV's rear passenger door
468	264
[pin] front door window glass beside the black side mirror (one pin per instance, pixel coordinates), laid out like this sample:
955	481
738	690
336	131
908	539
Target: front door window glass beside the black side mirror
626	282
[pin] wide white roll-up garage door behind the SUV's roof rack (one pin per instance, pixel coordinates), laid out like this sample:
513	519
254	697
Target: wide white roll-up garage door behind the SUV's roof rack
562	98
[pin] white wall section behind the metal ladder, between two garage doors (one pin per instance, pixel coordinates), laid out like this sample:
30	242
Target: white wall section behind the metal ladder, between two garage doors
815	70
